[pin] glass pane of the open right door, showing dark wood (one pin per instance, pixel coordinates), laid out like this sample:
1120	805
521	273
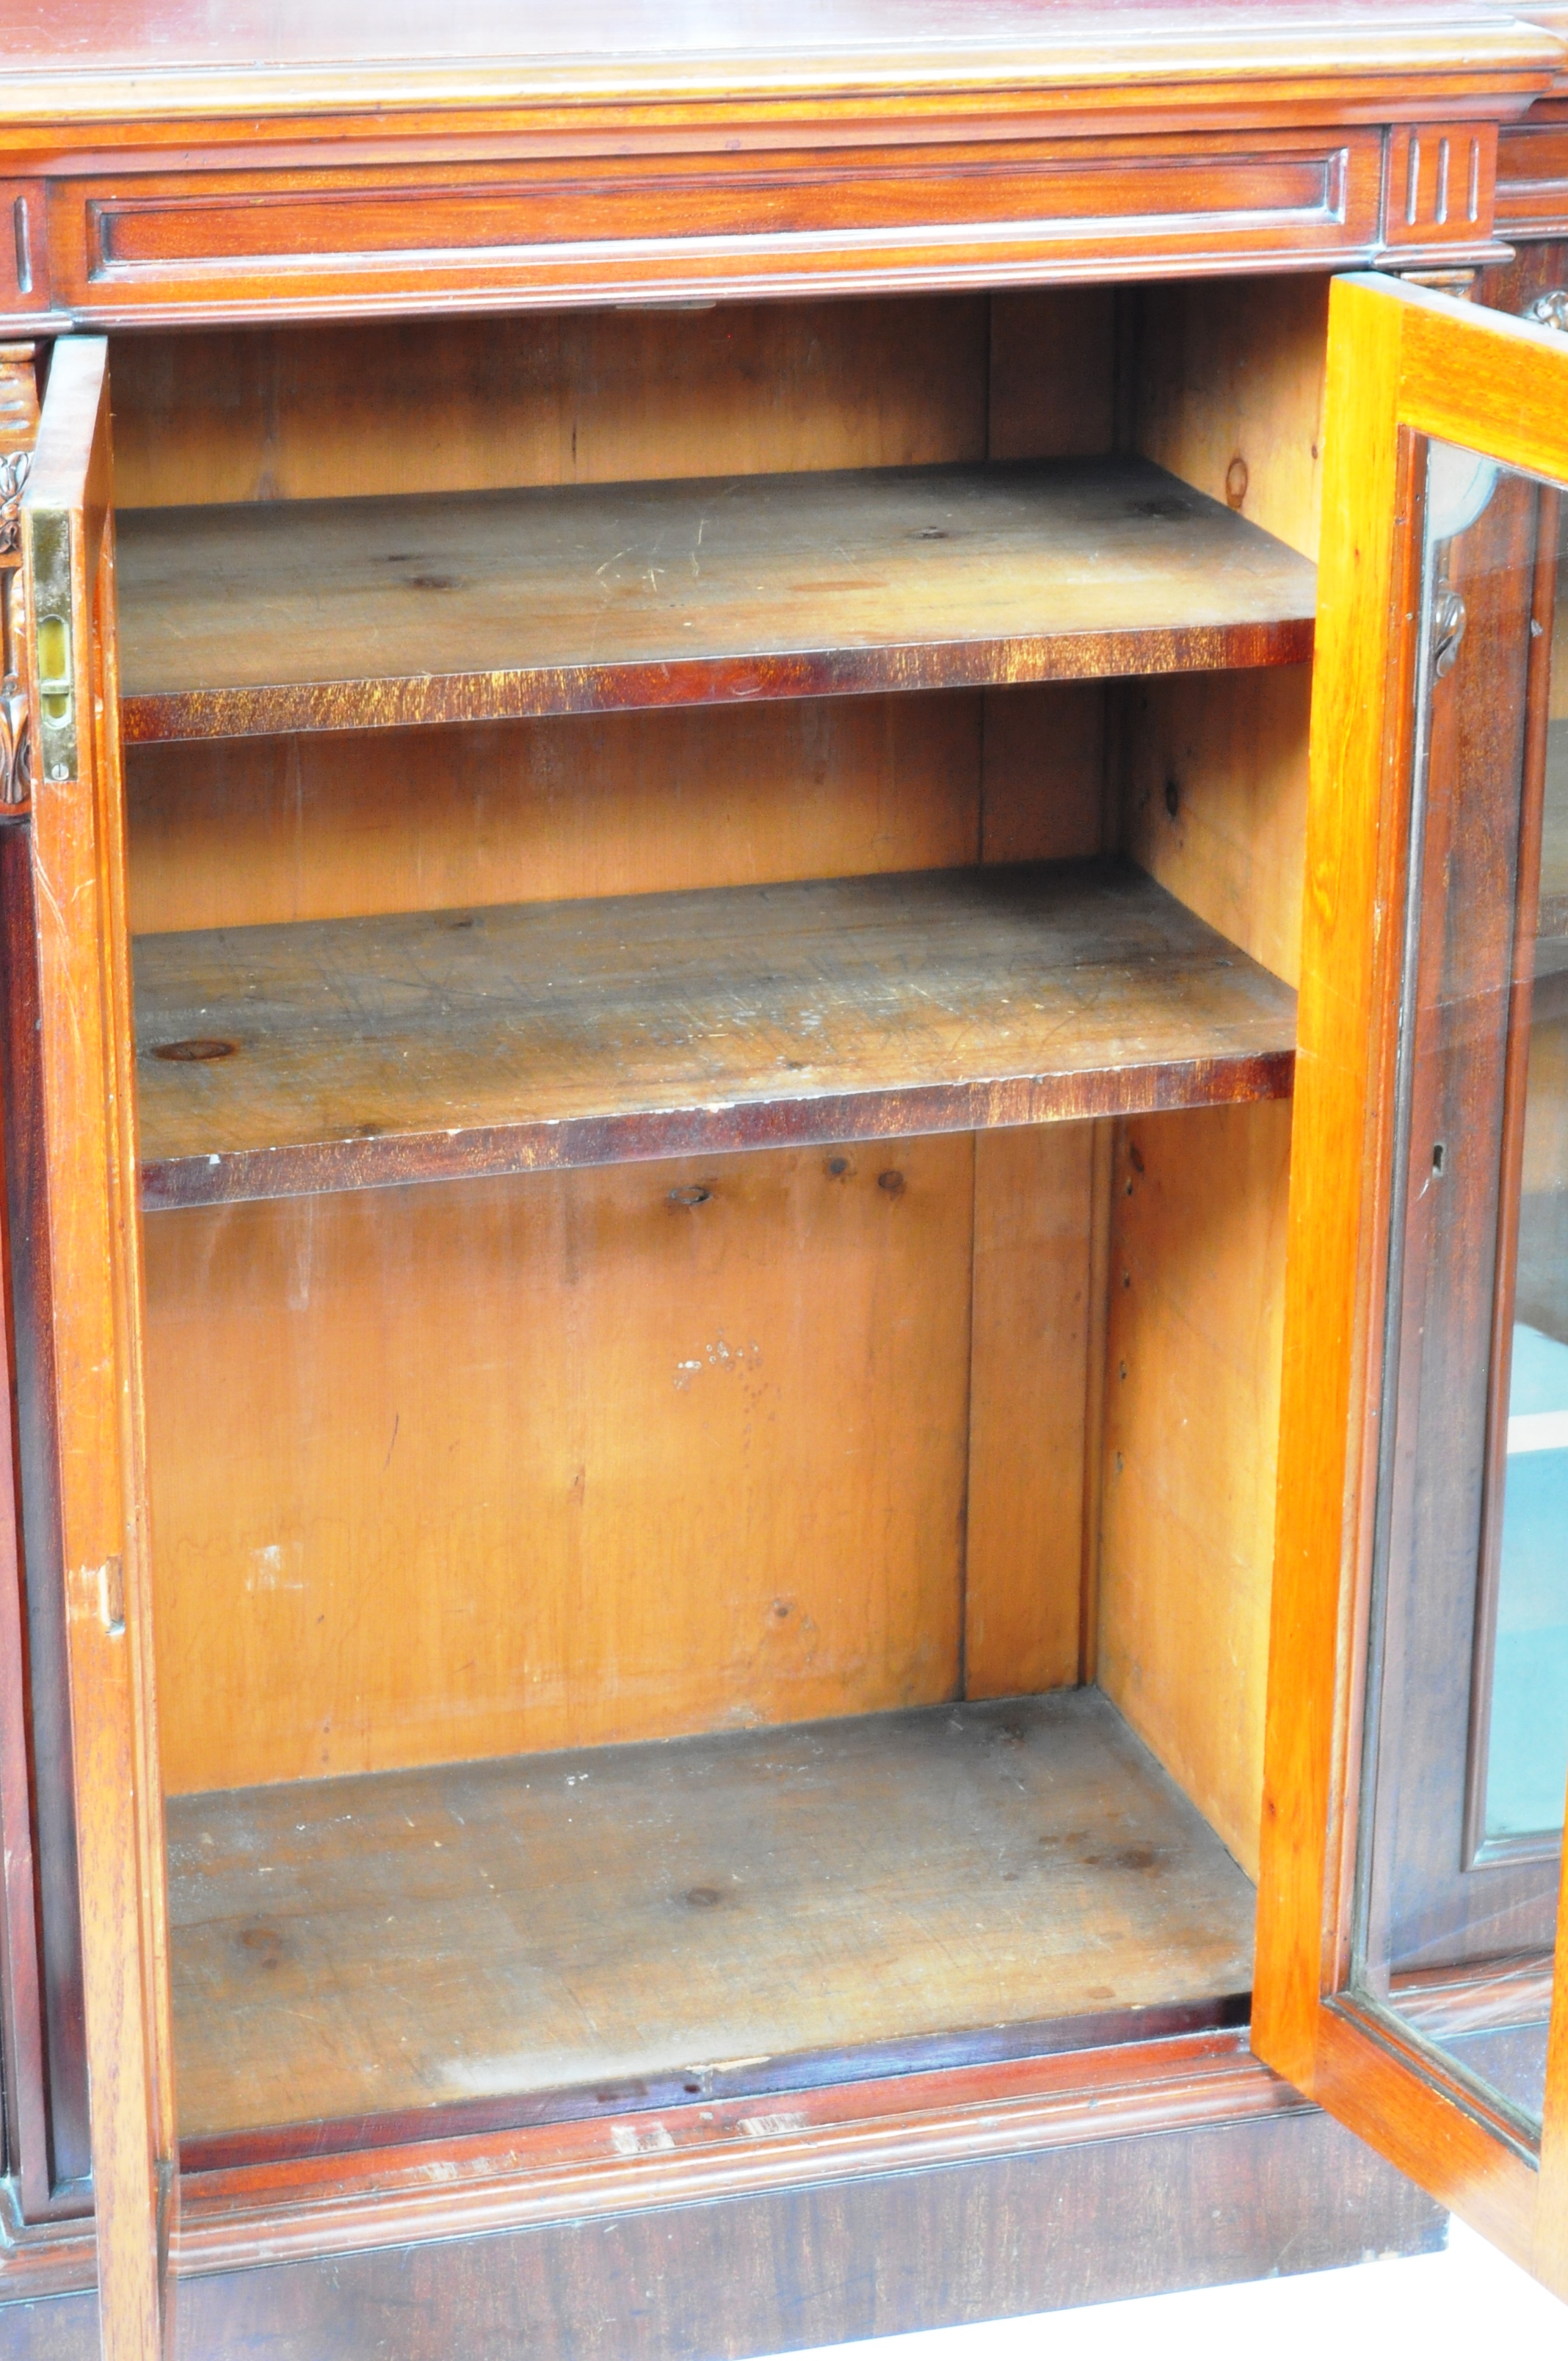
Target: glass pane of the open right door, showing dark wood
1468	1680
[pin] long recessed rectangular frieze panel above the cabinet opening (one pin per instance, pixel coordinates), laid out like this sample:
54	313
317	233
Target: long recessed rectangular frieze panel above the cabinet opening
710	218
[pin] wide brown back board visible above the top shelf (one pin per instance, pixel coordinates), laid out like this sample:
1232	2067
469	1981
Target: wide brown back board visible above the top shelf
566	398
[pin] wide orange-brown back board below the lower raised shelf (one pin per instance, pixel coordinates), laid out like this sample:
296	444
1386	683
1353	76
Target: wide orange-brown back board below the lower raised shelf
573	1458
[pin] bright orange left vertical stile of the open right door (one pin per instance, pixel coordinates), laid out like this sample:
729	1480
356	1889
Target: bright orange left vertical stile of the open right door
1345	1075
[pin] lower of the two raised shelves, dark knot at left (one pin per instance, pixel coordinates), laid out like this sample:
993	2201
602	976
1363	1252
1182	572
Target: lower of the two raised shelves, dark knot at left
351	1054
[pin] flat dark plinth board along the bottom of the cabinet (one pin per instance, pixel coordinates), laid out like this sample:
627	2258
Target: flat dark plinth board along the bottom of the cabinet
873	2256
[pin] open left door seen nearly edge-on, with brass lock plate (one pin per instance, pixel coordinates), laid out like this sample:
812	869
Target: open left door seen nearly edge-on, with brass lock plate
67	648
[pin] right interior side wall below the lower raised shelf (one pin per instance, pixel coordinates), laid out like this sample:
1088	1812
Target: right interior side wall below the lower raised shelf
1191	1434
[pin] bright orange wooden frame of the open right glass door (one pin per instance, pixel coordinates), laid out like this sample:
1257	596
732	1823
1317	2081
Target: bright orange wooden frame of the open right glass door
1404	365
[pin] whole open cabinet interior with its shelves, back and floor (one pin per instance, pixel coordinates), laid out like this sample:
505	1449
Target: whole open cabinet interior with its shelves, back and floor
714	1267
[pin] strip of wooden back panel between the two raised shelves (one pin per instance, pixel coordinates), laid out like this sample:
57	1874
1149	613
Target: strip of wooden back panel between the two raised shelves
261	832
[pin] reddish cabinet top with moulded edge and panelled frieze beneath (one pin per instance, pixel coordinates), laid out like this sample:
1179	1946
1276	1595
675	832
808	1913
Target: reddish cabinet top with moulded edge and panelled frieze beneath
166	162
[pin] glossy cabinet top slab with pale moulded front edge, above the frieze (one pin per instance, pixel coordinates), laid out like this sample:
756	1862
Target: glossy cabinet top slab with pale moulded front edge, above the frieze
145	72
